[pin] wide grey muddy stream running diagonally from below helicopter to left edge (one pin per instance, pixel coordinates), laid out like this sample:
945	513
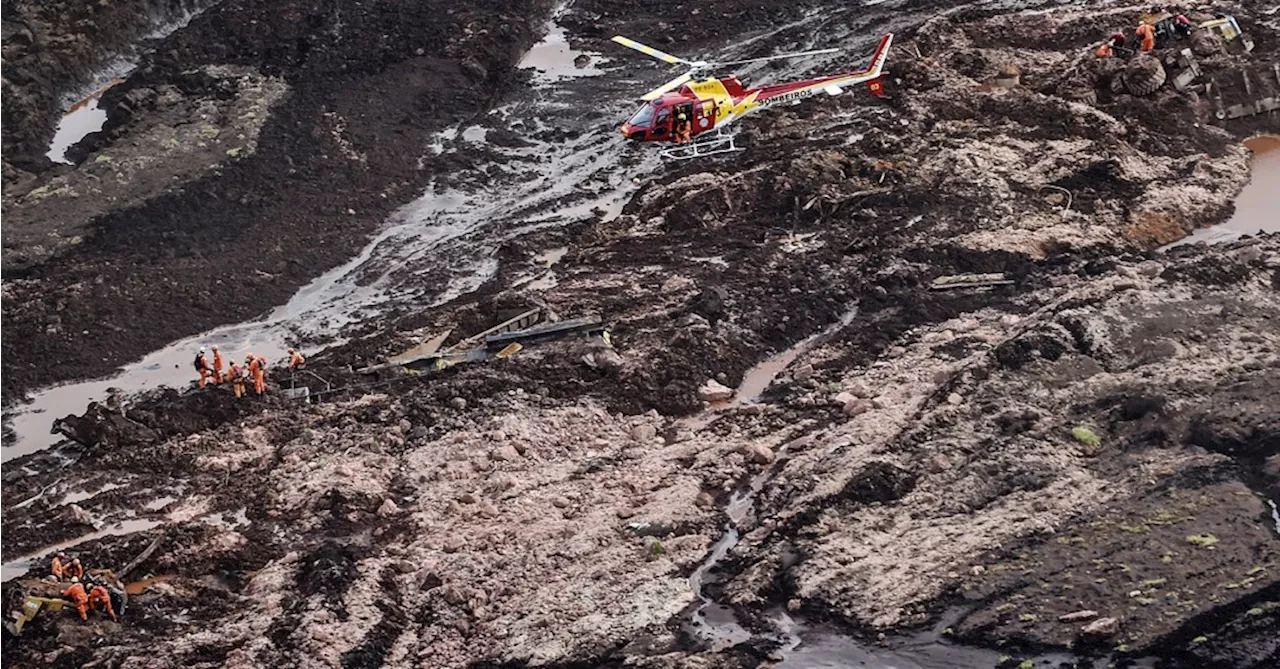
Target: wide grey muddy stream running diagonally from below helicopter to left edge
454	230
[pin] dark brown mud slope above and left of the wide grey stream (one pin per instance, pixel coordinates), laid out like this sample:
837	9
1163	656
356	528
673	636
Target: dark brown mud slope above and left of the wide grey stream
254	149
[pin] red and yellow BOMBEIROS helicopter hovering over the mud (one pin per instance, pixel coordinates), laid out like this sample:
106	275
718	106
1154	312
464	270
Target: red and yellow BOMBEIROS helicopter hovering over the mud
712	104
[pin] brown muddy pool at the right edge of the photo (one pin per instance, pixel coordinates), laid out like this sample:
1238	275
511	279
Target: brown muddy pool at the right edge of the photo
1258	209
